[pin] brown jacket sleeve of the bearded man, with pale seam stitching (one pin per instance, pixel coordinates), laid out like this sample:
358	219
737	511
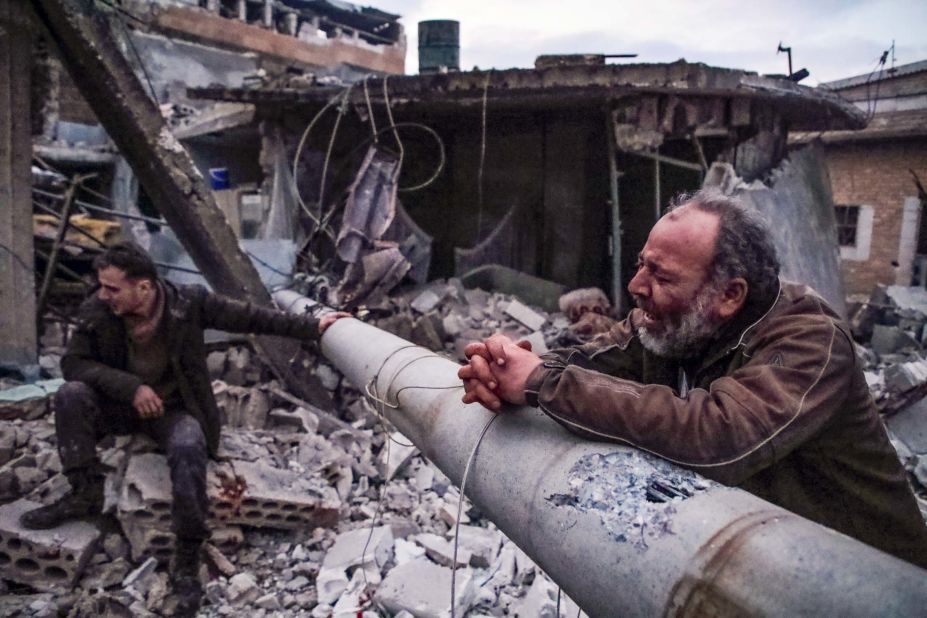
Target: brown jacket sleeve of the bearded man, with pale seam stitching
794	383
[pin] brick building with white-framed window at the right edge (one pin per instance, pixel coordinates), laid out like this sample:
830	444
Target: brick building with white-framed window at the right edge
877	176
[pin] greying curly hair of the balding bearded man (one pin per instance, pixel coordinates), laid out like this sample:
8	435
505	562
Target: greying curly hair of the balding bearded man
744	247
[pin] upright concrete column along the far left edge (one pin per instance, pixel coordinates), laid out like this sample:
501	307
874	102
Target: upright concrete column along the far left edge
17	280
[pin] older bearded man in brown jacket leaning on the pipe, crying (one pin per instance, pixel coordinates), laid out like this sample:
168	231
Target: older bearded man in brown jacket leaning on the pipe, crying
726	370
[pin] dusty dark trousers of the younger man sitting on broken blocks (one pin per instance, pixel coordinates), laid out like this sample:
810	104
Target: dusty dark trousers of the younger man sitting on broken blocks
83	417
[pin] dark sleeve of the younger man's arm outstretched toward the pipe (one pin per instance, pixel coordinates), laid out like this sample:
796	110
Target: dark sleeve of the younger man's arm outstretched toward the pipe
234	316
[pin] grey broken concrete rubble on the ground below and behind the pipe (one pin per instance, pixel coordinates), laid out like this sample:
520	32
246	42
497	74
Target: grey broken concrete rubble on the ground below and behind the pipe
311	515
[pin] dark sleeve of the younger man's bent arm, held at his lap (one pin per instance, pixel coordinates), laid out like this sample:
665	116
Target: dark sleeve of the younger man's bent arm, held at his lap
80	364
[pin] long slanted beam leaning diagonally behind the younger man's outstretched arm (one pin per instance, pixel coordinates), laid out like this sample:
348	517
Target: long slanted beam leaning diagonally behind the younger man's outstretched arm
179	192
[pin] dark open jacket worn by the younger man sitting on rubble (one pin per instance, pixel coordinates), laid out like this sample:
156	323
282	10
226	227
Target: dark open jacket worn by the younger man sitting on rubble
97	353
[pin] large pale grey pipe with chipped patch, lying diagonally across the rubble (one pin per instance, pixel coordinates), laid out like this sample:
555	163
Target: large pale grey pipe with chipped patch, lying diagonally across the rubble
581	510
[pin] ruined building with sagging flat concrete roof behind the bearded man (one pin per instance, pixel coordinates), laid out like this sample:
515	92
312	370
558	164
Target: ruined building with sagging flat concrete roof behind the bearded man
515	165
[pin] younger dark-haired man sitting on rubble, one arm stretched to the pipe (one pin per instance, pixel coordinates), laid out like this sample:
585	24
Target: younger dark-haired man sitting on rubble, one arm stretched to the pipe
137	363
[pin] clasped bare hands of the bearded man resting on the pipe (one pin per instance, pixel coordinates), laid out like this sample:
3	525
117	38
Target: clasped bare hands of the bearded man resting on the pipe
497	371
